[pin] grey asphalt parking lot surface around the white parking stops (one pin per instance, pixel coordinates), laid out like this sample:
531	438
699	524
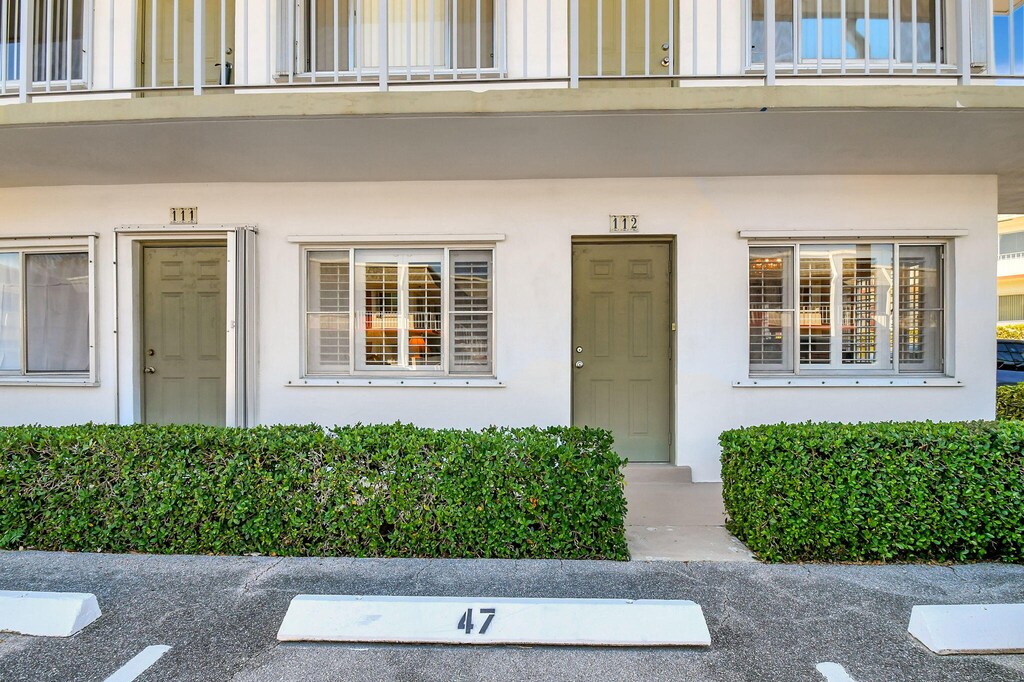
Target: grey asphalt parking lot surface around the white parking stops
221	616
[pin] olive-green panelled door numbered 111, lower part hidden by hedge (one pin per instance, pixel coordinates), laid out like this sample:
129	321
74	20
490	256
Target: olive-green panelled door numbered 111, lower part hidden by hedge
185	339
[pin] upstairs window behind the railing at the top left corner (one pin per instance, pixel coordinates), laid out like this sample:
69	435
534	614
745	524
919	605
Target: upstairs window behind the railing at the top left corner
57	41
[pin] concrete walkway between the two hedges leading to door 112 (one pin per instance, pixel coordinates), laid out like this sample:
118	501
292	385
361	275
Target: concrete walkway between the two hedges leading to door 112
671	519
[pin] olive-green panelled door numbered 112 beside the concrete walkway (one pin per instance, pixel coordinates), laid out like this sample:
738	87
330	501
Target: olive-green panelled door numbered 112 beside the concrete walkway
622	346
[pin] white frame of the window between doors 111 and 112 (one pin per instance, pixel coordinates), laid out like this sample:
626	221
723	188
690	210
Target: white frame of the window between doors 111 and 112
399	254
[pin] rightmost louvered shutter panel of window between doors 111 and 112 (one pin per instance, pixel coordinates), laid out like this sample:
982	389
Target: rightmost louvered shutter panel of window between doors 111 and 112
473	312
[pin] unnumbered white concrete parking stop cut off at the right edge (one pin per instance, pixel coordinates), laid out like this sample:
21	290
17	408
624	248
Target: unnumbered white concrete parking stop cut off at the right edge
970	628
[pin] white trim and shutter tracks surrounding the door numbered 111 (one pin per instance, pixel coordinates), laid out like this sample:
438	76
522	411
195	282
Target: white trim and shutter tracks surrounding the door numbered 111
240	359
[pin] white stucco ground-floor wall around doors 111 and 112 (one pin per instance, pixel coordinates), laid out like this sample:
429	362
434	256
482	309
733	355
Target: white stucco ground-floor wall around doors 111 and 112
533	290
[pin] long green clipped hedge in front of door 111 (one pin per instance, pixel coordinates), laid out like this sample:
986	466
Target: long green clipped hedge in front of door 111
301	491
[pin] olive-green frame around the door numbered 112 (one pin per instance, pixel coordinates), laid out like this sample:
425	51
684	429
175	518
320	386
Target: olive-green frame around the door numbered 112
671	241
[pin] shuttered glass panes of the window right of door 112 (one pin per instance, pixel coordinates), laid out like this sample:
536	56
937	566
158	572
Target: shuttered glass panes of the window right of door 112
867	309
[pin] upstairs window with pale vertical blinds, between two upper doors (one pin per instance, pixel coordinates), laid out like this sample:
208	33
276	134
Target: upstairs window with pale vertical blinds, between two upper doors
424	35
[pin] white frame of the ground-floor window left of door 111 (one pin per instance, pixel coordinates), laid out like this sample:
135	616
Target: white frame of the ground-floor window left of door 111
54	245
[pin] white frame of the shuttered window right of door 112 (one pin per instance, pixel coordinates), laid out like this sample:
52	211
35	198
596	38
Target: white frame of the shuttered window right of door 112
833	370
